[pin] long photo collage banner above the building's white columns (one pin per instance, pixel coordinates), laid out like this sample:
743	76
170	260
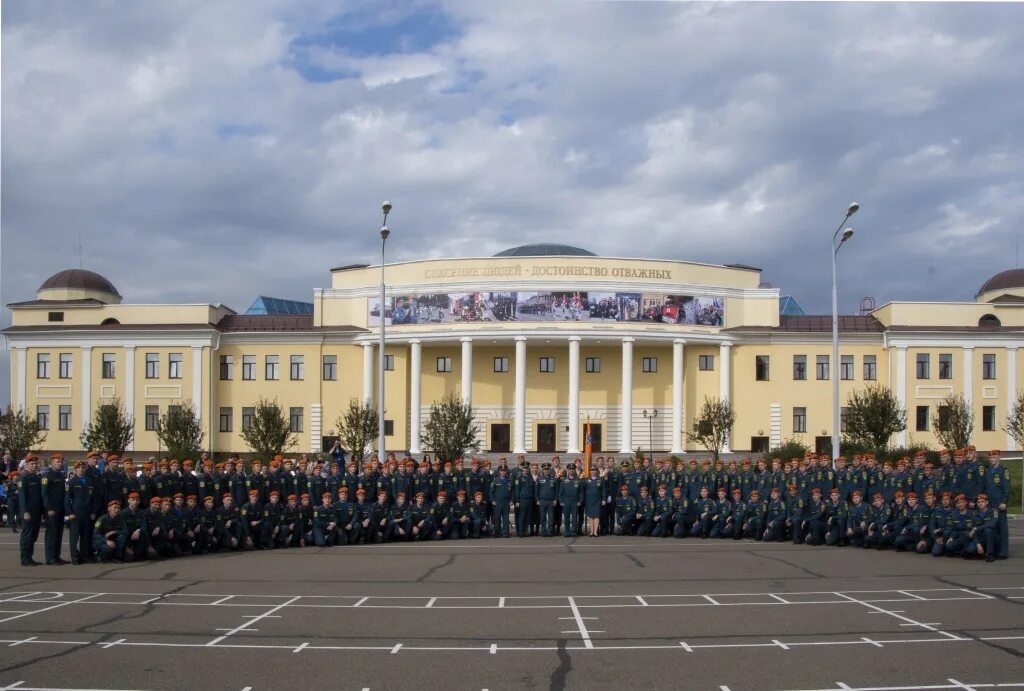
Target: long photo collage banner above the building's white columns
429	309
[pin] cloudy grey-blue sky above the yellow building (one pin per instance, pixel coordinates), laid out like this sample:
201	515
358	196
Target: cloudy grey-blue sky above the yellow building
214	152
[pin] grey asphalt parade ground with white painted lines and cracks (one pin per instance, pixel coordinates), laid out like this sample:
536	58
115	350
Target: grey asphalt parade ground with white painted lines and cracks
534	614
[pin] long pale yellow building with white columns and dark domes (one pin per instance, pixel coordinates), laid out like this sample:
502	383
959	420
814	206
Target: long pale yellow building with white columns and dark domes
542	339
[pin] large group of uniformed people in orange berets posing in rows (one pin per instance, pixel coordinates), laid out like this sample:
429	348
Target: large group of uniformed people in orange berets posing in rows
167	509
